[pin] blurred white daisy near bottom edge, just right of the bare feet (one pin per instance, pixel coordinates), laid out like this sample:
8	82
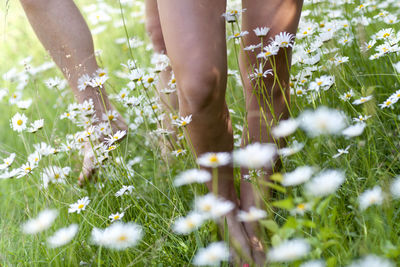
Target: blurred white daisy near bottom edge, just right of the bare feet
289	250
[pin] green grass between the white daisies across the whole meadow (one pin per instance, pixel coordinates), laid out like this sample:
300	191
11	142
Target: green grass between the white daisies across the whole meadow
336	228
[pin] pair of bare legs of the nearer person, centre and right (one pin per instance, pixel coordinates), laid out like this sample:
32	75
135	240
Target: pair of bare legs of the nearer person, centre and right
198	55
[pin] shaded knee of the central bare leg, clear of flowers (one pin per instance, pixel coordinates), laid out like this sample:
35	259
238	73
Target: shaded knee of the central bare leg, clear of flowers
202	92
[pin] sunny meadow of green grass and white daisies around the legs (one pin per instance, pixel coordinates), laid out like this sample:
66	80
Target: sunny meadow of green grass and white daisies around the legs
335	196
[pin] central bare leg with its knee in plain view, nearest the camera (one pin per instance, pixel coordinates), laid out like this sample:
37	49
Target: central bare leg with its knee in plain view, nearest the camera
197	49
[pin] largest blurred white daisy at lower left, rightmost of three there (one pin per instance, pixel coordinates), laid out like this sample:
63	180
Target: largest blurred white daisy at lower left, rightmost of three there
118	235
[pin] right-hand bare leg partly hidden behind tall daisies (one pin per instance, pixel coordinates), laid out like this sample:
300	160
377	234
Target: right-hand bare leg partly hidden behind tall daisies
280	16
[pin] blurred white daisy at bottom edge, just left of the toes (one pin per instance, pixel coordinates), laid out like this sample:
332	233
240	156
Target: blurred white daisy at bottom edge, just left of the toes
212	255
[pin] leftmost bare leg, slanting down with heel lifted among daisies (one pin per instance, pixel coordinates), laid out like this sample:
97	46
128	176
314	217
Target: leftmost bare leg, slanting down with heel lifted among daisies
63	32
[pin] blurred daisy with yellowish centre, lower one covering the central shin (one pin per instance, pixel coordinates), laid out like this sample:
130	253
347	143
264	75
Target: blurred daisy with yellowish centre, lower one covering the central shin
212	207
